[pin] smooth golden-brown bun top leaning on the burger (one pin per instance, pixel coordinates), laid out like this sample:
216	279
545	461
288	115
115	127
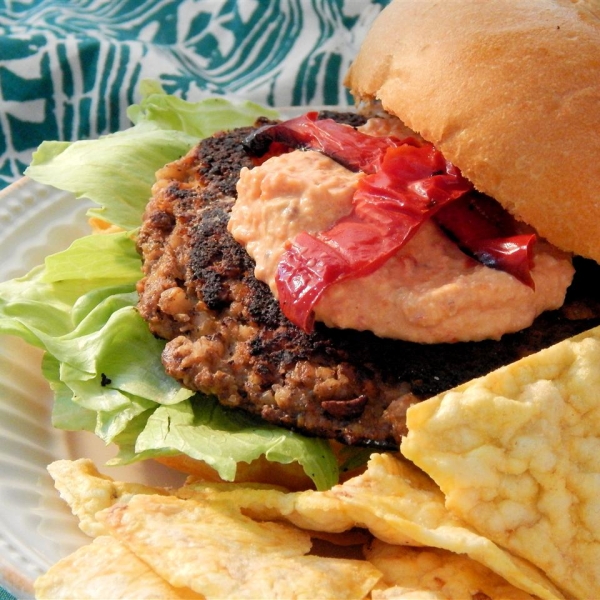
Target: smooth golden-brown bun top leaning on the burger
509	91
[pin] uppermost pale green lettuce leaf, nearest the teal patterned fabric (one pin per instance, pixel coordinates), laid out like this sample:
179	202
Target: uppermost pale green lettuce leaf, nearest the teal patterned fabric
117	171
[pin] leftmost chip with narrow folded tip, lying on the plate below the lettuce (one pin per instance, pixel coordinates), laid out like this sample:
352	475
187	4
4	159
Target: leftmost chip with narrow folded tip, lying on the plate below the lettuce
87	491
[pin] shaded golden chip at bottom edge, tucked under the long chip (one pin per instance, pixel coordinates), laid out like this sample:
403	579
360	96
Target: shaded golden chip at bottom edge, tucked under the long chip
433	573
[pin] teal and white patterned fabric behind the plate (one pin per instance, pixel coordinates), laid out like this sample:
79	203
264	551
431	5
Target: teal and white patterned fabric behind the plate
69	70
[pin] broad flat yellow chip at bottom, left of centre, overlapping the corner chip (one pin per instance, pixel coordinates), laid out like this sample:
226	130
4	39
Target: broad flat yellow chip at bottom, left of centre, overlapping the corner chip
215	550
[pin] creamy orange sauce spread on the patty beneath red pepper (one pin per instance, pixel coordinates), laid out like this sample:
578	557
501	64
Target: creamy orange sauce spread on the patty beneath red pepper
429	292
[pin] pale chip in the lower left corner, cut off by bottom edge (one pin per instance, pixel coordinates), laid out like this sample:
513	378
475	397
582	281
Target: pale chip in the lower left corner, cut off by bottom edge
105	569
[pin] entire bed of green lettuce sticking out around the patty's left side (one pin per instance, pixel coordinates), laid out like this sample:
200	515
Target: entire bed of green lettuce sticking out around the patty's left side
101	360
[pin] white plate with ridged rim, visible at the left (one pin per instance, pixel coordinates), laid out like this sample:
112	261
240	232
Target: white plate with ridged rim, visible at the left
36	527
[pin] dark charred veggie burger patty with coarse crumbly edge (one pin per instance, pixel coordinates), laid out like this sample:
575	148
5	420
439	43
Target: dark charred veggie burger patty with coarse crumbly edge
228	337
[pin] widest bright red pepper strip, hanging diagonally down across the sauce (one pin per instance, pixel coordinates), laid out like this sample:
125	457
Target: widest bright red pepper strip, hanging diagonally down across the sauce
412	184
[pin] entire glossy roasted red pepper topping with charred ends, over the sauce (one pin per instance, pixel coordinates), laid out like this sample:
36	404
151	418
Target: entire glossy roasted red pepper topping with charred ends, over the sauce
406	182
